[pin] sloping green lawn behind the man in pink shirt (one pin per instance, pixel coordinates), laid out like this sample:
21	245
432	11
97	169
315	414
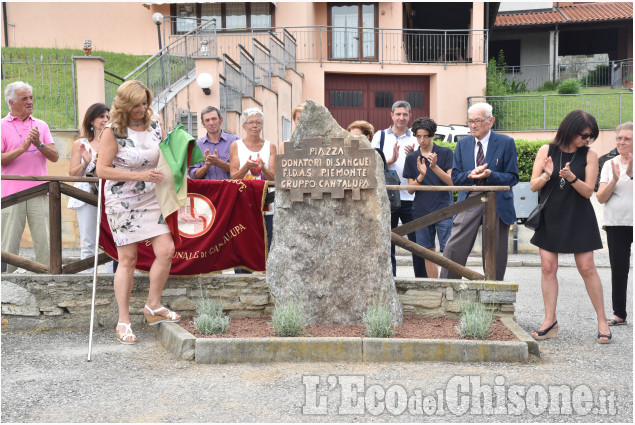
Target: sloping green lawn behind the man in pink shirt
50	73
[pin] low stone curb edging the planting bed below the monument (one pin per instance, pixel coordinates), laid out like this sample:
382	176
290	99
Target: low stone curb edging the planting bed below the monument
266	350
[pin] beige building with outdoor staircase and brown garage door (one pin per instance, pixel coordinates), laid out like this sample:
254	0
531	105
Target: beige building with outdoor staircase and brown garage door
356	59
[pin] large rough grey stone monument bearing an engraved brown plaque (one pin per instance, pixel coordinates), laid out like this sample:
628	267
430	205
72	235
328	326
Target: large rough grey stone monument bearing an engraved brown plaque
331	240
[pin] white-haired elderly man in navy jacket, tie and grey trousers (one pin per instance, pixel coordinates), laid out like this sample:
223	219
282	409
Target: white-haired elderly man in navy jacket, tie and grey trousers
484	158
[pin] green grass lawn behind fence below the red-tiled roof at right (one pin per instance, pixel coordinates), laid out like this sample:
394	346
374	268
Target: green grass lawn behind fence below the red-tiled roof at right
545	110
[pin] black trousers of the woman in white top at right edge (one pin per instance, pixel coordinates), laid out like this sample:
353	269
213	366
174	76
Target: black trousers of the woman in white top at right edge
619	240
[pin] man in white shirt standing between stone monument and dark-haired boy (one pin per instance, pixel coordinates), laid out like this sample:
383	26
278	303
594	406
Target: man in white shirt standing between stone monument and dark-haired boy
396	142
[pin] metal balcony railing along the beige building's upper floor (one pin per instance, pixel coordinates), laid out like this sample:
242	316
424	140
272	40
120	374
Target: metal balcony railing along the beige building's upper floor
353	44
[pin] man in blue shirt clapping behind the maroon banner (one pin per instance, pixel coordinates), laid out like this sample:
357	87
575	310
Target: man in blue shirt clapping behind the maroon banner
215	147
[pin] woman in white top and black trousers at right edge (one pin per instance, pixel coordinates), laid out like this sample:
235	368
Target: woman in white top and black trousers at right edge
616	191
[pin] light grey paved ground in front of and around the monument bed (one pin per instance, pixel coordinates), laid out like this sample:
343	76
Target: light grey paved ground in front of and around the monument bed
46	378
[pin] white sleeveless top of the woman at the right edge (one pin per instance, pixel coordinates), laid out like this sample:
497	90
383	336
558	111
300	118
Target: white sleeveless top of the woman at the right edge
618	210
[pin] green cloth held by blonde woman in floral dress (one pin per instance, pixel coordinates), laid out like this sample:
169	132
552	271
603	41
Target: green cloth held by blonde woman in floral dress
174	148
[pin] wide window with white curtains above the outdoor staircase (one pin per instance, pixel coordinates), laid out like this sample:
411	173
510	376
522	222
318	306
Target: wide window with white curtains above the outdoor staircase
227	15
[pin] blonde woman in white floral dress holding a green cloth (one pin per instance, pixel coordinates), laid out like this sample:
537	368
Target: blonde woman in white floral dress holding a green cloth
128	157
